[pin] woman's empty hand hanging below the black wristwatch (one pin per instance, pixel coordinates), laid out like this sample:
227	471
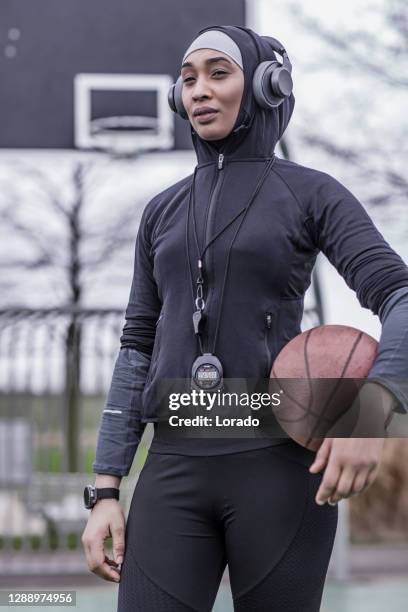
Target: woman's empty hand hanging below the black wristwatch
106	520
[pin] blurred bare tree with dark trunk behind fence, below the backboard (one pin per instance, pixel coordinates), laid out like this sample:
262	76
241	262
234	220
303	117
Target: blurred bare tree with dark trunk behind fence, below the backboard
46	229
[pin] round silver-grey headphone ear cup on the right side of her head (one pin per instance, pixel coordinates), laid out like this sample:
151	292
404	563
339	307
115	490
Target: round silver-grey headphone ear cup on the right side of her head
271	84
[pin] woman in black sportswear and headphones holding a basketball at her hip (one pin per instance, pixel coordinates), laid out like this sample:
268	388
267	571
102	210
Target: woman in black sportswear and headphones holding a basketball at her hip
223	259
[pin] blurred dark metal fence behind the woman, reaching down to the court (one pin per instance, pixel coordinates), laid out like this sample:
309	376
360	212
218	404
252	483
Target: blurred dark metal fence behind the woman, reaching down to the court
55	370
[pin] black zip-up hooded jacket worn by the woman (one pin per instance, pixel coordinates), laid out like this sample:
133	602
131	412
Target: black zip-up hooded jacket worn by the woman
293	214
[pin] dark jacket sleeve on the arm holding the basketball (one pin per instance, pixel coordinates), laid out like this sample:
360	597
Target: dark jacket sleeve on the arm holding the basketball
342	229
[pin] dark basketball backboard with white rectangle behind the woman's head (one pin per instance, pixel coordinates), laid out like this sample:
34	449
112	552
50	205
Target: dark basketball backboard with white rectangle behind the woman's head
74	74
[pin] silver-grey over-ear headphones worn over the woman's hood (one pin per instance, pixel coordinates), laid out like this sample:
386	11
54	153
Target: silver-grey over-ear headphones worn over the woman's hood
271	83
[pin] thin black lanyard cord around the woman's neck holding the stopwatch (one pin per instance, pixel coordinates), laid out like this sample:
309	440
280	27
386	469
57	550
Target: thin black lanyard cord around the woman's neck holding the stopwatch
198	315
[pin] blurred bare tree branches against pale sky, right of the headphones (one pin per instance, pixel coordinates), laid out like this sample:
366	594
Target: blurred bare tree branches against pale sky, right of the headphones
376	60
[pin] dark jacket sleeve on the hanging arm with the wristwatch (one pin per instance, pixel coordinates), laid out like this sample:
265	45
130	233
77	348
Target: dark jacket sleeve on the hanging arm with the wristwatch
121	428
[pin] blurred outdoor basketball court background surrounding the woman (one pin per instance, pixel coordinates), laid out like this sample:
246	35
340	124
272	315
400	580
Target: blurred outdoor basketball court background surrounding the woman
86	140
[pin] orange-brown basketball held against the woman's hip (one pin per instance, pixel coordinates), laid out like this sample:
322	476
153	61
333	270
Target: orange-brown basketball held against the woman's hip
318	375
